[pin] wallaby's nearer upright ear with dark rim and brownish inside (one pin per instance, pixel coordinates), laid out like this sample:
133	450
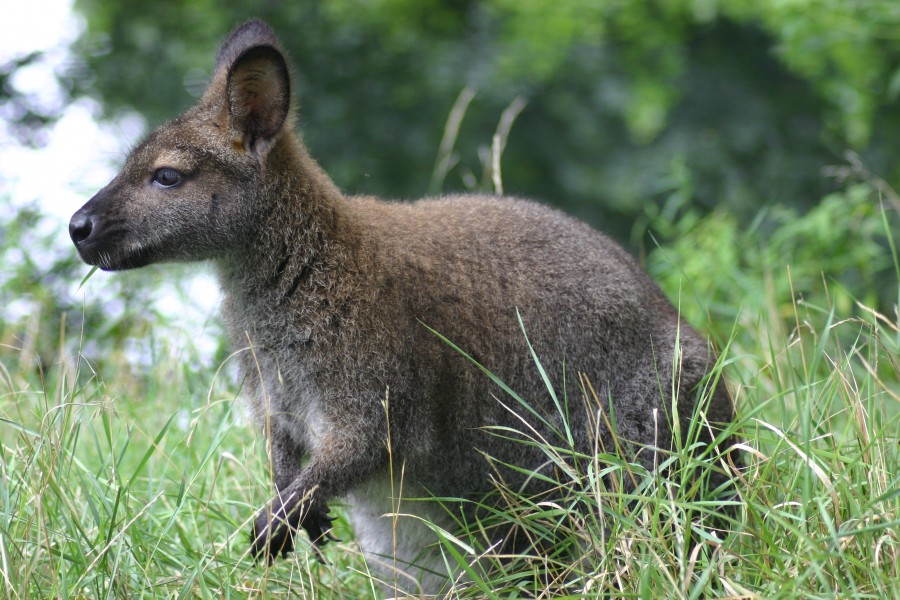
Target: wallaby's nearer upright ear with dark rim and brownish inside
258	92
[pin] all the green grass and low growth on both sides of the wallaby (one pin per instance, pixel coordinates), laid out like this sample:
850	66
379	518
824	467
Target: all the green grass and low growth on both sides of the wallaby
124	481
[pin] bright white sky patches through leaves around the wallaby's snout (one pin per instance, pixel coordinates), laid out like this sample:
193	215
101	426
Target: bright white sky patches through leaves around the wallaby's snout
80	157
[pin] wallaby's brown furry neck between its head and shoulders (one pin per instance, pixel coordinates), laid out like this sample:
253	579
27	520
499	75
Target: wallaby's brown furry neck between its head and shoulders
297	228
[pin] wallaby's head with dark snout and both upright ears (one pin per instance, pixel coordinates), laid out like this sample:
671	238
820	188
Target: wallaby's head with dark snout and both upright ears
194	189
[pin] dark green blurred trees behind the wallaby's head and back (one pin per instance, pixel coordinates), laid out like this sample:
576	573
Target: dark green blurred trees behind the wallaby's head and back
735	103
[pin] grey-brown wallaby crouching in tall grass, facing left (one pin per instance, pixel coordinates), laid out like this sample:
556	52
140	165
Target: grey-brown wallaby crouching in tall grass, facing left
336	300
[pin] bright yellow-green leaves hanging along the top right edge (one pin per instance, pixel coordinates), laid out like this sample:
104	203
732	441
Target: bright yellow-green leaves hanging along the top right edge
844	49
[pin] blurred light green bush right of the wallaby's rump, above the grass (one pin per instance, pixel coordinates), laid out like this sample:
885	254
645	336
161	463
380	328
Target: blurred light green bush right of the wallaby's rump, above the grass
737	269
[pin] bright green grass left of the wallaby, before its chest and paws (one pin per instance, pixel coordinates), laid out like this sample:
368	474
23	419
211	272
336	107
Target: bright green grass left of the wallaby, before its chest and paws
131	496
